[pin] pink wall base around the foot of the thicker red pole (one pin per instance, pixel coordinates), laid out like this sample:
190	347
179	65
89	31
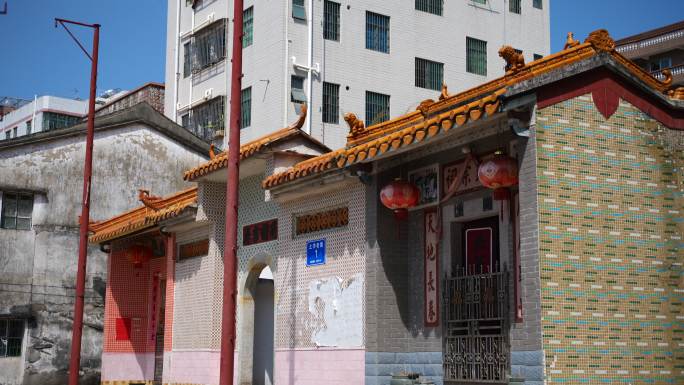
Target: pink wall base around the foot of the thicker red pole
193	367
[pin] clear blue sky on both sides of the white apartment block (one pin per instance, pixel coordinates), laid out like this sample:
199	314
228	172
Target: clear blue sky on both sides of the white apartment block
38	59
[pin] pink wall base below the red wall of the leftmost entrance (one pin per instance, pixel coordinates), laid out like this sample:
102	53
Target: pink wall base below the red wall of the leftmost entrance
127	366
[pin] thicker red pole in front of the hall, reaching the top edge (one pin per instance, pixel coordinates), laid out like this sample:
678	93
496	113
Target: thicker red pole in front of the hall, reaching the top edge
230	244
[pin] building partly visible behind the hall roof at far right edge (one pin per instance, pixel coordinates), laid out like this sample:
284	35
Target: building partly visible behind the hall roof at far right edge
657	50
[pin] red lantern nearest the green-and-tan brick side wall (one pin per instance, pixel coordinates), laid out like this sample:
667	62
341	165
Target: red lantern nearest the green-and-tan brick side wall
499	173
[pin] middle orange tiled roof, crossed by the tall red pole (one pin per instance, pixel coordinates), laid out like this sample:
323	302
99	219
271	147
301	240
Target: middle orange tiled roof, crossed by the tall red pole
247	150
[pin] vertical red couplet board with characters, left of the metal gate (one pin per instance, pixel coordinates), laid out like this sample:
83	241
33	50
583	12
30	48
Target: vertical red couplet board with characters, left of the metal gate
431	268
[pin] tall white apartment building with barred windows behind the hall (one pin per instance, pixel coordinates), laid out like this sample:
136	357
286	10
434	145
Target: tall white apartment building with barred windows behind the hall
375	58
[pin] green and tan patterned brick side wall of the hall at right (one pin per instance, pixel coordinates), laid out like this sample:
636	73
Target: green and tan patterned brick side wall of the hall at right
611	250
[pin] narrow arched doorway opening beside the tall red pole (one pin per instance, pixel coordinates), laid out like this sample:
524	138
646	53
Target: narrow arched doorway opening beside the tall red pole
262	345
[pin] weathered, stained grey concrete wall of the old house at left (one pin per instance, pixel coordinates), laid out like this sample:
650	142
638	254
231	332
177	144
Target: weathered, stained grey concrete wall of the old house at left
38	266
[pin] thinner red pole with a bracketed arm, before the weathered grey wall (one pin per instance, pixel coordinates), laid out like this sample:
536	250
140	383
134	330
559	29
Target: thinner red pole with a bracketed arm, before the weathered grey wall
77	332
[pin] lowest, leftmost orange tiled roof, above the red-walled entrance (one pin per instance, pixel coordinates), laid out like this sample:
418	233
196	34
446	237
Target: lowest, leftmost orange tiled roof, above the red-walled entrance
143	217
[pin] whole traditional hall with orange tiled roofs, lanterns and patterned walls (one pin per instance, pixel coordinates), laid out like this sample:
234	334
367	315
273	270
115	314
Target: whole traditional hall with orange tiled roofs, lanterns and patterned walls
527	230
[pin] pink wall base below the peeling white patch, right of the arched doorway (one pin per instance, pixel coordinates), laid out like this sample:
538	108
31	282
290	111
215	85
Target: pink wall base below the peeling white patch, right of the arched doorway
320	367
